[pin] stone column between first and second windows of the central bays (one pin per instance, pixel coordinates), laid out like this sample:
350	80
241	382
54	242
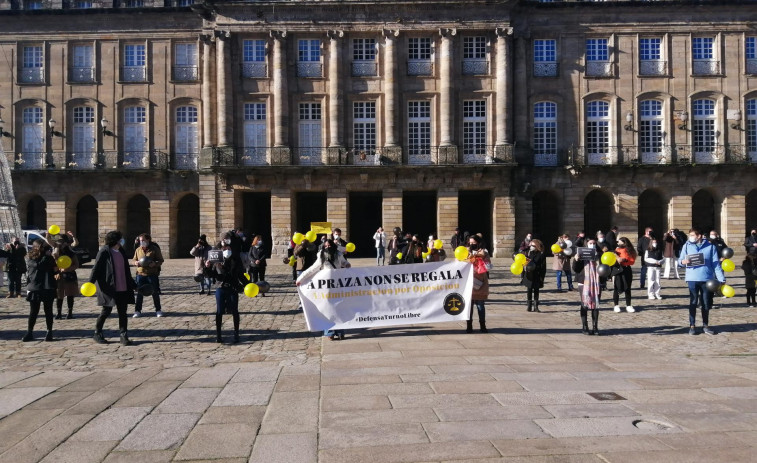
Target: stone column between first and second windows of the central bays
280	154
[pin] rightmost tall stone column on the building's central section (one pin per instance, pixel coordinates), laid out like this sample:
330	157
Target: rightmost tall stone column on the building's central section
504	92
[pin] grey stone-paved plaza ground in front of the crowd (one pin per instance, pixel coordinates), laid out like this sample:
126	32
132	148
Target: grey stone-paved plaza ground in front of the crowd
415	393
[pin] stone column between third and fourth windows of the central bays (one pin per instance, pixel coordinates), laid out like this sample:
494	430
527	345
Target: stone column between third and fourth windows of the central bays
392	150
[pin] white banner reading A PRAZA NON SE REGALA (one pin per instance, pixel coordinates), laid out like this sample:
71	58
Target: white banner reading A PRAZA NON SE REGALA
370	297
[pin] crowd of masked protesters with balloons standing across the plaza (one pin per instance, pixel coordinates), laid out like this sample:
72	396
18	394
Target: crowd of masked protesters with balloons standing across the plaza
234	261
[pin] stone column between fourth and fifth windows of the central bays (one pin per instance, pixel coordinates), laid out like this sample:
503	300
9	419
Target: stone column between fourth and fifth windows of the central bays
447	151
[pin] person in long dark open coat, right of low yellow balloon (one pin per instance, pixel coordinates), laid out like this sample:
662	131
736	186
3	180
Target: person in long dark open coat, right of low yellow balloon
115	285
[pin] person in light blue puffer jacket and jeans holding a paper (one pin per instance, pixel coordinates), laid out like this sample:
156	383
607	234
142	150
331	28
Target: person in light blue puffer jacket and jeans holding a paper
702	263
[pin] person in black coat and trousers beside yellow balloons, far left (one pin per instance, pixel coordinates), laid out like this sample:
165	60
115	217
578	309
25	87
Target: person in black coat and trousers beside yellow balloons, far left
41	287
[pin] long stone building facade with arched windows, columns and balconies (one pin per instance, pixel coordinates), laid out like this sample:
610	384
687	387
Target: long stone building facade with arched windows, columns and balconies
499	117
